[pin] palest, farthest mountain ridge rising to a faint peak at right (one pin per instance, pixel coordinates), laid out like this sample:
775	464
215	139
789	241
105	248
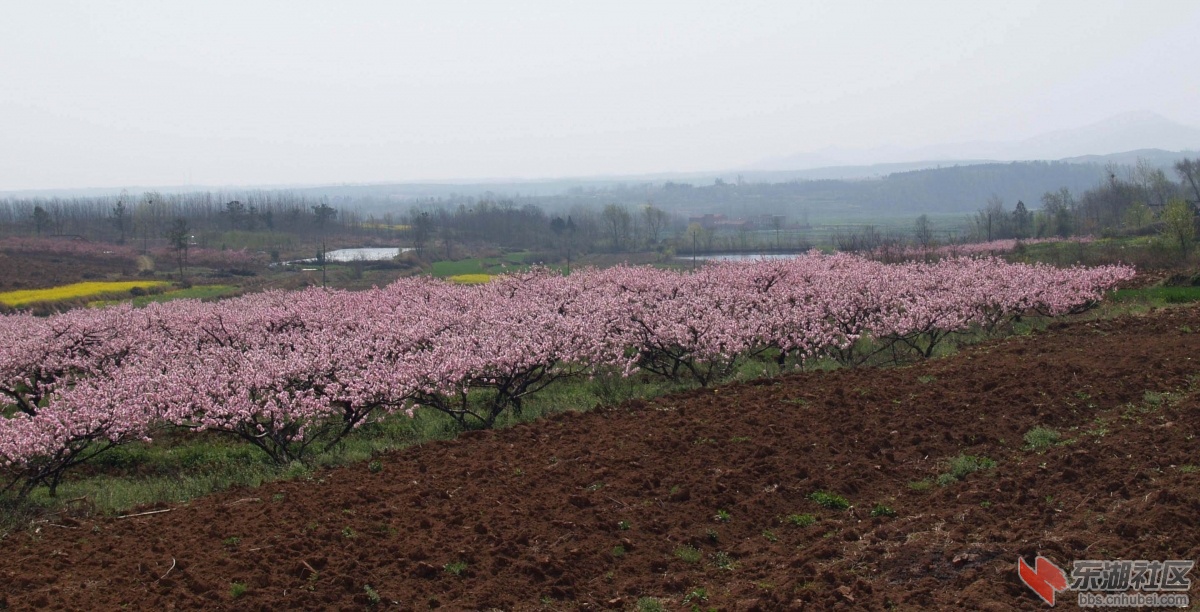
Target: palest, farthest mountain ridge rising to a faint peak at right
1125	133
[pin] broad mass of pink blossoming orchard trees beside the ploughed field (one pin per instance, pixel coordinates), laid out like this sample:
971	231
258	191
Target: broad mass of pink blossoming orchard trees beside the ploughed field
286	371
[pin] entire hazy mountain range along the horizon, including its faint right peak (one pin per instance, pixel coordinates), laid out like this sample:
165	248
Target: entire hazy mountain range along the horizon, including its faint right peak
1120	140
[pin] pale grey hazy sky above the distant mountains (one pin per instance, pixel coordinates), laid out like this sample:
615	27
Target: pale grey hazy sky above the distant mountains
254	93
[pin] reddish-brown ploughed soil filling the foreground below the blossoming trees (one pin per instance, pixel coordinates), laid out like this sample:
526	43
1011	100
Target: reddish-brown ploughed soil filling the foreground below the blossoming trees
536	512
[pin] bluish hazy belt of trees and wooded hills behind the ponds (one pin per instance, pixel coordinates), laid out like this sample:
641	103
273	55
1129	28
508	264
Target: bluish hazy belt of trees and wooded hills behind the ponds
1019	200
